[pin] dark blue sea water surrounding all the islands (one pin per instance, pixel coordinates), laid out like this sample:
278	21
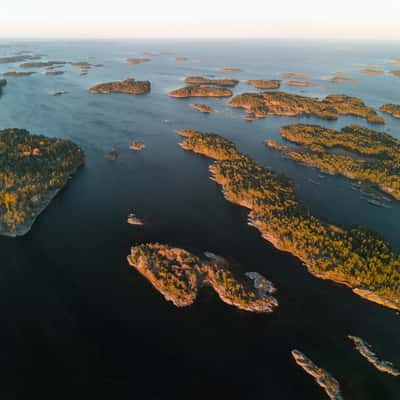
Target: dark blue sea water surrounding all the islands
77	322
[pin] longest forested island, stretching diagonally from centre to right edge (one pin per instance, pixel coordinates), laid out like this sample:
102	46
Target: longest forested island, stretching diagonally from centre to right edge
354	257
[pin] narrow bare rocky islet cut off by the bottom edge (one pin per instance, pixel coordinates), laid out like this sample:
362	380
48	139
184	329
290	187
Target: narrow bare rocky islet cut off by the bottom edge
322	377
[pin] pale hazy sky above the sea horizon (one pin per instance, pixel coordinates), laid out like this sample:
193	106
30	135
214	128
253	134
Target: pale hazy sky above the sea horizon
376	19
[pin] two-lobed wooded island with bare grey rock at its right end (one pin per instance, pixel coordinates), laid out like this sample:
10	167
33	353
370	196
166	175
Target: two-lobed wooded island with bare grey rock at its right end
178	275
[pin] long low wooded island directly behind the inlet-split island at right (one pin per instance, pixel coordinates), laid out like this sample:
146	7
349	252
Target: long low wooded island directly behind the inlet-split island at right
261	105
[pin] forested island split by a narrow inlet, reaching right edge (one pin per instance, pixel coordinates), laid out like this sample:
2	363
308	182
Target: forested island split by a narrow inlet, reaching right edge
372	157
